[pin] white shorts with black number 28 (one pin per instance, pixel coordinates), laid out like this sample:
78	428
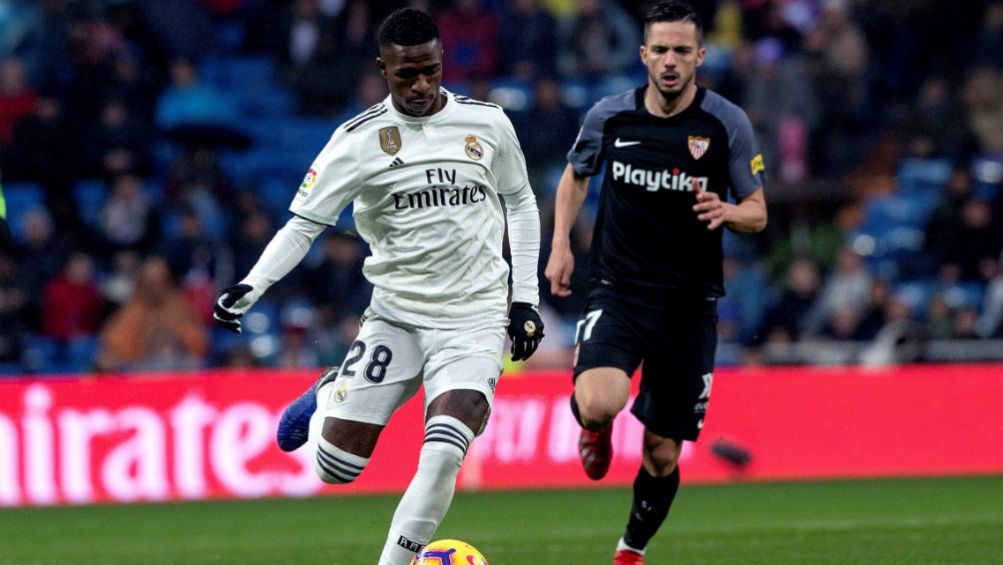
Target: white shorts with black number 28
388	364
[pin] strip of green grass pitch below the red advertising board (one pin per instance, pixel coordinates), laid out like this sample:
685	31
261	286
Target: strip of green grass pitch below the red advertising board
957	521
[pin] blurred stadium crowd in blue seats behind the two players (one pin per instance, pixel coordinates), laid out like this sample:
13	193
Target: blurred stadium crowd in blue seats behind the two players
150	150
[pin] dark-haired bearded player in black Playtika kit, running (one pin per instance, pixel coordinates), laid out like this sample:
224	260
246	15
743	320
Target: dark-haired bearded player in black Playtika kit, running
675	153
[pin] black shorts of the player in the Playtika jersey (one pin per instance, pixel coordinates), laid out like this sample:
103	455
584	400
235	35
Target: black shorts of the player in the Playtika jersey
677	345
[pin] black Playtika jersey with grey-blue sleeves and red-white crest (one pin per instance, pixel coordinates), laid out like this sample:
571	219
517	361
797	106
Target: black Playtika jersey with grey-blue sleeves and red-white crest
648	241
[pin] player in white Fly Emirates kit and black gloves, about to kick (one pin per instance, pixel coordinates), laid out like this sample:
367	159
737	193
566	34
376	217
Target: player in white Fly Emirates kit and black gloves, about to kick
426	170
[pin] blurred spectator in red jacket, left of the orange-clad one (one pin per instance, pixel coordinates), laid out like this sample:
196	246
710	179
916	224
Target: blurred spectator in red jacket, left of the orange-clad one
72	305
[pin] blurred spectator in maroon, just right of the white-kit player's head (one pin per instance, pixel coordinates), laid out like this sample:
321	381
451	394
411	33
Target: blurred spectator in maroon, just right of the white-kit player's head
470	36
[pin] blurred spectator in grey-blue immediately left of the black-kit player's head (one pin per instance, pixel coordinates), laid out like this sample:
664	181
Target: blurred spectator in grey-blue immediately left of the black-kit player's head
600	41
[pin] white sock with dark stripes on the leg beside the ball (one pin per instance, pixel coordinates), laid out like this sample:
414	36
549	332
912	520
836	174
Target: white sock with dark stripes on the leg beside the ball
428	498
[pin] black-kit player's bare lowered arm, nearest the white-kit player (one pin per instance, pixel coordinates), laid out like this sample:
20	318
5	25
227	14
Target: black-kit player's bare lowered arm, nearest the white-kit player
572	190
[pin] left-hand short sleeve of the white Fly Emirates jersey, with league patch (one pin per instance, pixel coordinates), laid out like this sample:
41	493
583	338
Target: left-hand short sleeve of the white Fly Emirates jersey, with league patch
332	182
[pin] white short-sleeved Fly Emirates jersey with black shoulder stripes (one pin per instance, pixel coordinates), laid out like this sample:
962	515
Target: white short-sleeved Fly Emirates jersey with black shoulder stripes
427	200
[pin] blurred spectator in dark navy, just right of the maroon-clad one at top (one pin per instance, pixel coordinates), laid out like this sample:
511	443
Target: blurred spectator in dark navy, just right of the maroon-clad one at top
529	38
